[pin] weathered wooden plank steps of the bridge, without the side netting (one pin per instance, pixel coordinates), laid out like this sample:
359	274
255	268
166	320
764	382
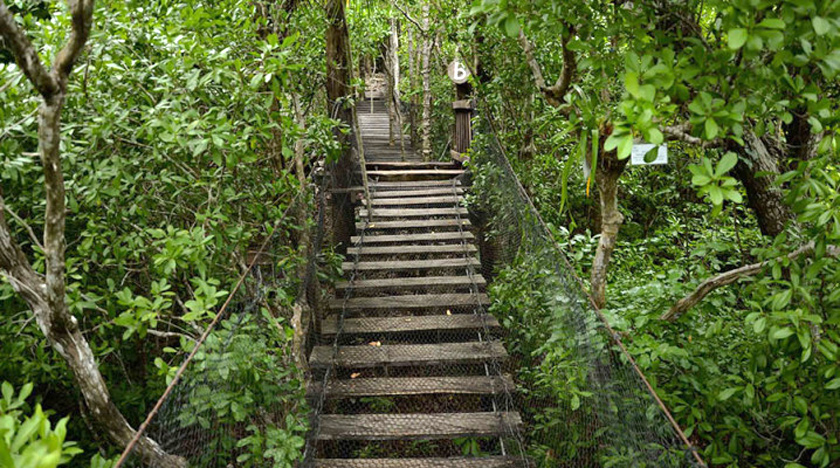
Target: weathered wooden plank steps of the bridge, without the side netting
414	365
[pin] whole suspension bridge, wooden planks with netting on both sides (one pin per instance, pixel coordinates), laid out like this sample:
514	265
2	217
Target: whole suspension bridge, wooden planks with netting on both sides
458	337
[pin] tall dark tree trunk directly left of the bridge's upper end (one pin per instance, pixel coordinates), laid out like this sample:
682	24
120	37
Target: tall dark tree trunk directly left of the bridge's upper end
338	91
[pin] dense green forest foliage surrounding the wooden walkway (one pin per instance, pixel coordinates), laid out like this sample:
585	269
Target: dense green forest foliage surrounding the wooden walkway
193	131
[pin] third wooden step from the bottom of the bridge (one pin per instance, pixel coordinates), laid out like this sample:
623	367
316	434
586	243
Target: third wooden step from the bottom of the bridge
400	386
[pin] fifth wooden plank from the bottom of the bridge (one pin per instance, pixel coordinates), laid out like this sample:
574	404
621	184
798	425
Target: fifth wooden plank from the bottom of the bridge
424	323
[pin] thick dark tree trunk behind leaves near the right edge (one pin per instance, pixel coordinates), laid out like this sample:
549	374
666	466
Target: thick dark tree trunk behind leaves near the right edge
757	169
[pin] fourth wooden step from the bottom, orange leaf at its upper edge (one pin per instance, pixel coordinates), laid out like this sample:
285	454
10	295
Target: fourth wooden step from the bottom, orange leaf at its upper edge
358	357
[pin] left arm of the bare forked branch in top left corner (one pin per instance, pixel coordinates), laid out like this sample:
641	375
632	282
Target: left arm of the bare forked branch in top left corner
25	55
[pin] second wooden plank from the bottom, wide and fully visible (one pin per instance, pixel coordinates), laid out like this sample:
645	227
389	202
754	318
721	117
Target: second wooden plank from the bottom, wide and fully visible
416	426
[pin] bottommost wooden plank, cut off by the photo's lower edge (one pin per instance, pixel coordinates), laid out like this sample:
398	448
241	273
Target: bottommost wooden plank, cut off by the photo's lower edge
453	462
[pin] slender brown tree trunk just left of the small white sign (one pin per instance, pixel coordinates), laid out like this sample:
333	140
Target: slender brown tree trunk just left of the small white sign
607	174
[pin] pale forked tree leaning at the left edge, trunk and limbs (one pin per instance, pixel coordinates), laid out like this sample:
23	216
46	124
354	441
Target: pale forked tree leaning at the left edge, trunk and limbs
45	293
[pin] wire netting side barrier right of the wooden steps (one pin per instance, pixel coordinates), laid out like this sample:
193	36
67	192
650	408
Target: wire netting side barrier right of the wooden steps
585	401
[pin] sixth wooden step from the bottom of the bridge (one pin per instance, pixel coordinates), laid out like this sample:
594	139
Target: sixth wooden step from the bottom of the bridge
410	301
